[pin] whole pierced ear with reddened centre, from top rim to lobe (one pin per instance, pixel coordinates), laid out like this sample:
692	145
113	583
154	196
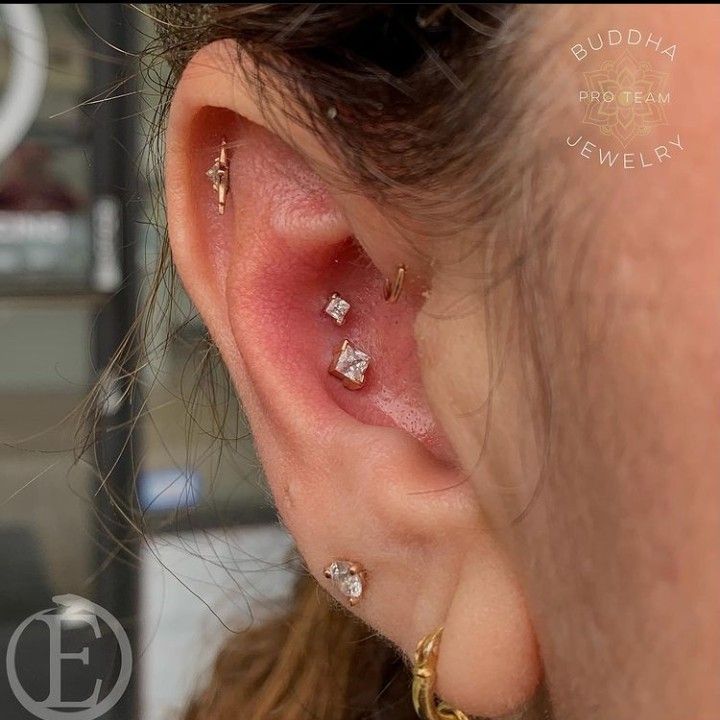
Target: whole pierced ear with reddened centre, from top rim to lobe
362	475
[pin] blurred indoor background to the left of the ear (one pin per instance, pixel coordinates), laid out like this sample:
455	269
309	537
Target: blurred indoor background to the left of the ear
161	522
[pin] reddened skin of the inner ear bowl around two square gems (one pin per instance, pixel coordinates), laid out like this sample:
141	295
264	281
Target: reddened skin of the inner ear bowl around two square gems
392	394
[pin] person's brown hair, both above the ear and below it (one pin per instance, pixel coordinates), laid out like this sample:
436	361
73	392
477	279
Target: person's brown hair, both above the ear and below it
423	105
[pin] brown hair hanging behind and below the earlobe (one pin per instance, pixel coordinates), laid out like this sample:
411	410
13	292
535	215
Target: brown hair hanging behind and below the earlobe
315	662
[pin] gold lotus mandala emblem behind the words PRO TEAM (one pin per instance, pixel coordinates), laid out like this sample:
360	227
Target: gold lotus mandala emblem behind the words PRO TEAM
630	98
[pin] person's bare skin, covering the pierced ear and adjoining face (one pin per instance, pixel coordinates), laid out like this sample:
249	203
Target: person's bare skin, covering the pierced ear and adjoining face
609	584
